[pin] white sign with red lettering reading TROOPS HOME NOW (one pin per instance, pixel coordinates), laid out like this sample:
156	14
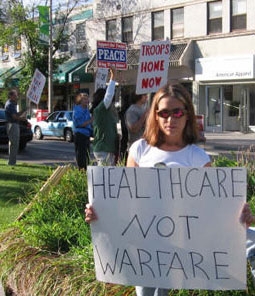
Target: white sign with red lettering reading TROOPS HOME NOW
153	66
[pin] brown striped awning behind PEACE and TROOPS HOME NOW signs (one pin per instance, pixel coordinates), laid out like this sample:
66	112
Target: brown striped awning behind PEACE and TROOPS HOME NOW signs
180	55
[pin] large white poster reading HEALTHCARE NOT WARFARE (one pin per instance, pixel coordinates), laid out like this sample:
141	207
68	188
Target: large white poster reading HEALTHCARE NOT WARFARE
174	228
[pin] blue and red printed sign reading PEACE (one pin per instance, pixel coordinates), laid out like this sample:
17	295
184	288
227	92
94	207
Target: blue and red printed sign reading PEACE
111	53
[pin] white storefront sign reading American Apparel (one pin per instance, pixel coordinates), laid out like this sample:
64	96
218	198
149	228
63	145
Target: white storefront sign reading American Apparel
225	68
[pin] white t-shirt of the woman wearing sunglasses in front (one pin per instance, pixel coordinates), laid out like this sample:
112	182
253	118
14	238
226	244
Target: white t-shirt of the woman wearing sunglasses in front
149	156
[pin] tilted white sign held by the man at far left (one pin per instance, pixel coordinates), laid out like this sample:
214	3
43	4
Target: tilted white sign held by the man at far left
36	87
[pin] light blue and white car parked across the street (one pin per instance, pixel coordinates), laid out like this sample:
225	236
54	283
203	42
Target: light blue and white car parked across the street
57	124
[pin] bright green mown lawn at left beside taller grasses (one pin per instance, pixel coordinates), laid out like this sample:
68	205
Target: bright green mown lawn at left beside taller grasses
17	184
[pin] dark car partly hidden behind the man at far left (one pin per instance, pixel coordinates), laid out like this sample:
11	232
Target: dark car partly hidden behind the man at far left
26	134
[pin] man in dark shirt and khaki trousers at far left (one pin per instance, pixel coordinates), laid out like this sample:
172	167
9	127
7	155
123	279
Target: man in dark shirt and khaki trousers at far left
13	131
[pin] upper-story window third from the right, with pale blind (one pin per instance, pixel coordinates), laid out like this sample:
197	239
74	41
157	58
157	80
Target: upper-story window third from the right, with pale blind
177	22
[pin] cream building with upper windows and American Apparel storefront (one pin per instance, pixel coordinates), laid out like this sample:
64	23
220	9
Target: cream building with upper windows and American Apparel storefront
212	51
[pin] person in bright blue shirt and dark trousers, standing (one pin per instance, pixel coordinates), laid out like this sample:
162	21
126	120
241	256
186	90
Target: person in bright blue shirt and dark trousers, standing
83	130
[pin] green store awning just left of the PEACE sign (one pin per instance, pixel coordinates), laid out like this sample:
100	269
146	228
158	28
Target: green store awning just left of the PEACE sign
66	71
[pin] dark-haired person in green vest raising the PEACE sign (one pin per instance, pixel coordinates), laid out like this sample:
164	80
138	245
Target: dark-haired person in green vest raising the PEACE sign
105	123
